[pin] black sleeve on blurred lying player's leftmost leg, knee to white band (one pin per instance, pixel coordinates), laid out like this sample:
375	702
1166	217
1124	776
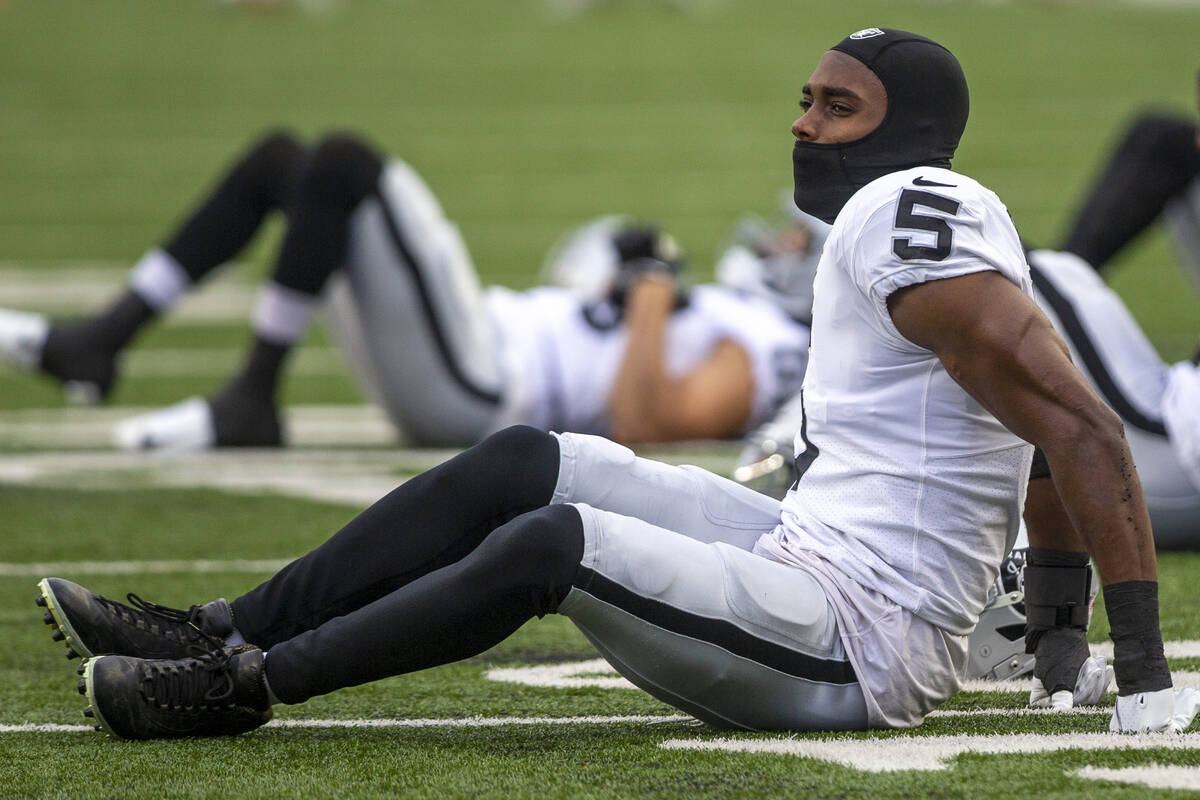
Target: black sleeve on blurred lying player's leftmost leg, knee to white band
224	224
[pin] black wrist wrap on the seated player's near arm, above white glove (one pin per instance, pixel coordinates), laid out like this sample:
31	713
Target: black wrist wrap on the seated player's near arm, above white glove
1138	658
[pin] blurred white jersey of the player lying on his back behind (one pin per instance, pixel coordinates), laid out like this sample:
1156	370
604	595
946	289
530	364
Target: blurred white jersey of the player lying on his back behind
562	354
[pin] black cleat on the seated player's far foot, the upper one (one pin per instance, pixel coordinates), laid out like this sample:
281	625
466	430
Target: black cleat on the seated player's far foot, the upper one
92	625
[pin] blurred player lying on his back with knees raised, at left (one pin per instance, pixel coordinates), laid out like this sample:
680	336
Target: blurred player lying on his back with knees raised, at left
637	356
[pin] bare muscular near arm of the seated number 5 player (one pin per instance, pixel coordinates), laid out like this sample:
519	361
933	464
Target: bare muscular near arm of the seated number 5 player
1003	351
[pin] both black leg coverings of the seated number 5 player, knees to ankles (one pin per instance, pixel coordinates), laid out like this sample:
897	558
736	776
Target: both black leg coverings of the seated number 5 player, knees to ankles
443	568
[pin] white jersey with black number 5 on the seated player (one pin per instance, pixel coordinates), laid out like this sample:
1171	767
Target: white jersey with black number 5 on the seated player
908	486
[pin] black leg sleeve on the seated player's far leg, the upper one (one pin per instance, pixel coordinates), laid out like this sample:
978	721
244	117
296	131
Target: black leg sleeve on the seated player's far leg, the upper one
429	522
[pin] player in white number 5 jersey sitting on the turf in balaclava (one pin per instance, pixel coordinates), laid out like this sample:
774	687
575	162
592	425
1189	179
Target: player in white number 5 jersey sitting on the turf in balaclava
847	606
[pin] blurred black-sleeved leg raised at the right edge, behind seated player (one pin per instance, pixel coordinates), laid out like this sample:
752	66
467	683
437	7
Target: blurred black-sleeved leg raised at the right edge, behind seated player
1156	160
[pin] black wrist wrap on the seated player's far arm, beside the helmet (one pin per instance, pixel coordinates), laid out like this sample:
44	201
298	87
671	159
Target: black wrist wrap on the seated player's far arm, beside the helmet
1058	592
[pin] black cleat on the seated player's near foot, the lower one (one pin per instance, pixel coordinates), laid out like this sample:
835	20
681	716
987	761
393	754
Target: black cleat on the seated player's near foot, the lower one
219	694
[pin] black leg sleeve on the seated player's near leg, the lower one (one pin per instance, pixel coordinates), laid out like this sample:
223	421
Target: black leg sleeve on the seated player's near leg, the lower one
523	570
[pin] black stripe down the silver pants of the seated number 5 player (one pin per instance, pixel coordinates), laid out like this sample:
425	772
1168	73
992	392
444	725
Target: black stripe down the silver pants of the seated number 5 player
716	631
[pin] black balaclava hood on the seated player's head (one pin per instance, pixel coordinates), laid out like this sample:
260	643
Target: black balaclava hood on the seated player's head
927	113
